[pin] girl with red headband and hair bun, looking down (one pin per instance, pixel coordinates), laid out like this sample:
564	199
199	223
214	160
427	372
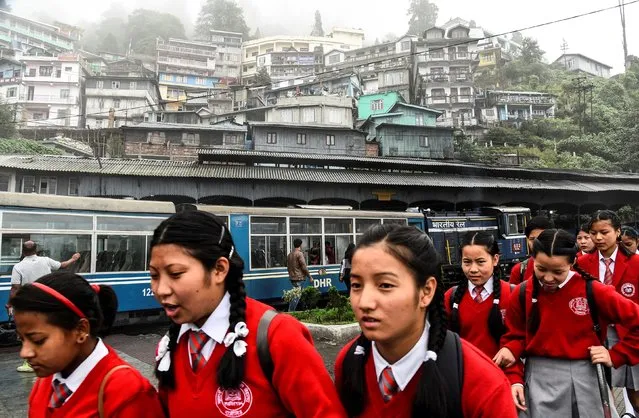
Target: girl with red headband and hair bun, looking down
58	319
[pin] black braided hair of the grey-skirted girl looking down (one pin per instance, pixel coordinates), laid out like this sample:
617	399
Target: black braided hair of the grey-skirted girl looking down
552	242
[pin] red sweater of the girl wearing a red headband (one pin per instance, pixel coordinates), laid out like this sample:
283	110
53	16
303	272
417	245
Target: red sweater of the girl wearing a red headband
127	394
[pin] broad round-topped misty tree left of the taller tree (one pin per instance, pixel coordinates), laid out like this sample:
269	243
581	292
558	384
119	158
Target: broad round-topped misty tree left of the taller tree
145	26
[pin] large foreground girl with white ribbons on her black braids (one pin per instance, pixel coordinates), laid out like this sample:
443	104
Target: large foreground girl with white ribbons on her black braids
208	364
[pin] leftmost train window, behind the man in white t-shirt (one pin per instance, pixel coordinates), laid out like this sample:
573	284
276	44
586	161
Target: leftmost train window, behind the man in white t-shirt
58	247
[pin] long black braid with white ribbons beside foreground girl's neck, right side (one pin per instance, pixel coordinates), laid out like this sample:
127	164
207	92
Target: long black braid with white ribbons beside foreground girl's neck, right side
230	372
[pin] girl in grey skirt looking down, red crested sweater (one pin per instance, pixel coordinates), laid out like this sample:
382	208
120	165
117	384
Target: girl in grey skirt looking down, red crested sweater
554	331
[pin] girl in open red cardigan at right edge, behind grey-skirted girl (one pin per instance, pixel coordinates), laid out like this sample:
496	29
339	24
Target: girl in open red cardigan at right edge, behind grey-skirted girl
612	263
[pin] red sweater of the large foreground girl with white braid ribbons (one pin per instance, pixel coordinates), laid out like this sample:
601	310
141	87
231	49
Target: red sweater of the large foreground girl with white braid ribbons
301	385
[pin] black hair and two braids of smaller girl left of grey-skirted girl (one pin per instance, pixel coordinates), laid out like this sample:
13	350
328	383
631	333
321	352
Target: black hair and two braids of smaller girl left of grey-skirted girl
495	319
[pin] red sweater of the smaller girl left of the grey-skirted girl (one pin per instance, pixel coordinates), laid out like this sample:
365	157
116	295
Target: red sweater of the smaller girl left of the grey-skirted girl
473	318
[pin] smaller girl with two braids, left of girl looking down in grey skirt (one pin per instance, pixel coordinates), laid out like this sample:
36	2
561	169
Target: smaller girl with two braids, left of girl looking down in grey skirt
475	307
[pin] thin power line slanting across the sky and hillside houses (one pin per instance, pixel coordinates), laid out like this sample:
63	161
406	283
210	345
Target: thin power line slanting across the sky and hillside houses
412	54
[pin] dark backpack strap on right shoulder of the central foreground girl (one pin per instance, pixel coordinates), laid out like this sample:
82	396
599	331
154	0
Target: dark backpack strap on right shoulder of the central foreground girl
450	363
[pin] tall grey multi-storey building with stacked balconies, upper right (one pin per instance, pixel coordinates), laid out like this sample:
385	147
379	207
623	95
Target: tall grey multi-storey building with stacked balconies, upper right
444	62
